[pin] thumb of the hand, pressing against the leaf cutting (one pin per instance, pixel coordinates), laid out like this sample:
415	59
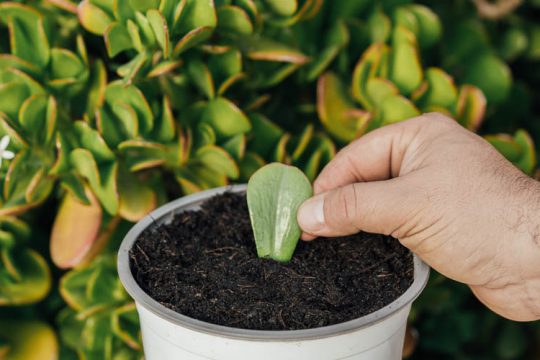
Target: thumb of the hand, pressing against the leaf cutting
382	207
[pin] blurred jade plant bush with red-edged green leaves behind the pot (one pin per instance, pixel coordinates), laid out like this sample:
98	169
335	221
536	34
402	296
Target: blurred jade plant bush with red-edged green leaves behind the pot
113	108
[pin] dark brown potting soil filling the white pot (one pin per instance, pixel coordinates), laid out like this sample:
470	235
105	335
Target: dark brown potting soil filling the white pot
204	265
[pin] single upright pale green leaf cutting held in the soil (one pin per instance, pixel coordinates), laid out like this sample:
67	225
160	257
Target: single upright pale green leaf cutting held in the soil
274	194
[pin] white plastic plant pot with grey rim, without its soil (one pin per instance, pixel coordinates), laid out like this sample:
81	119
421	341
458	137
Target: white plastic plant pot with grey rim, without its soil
169	335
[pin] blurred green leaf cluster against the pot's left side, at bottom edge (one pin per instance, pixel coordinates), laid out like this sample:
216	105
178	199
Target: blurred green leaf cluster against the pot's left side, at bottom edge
100	321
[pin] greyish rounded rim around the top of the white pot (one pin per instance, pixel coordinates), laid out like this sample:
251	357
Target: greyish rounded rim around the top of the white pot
167	211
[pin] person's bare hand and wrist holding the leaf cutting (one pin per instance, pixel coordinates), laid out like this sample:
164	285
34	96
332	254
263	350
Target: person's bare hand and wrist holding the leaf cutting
447	195
